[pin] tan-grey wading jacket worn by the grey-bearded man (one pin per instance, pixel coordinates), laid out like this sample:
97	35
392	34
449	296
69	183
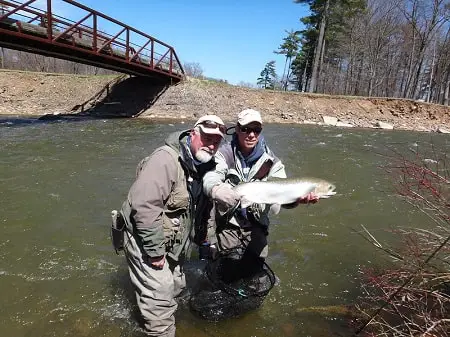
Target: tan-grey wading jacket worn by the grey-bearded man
166	199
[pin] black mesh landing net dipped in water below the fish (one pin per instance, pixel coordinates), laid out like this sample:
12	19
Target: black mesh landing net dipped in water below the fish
233	283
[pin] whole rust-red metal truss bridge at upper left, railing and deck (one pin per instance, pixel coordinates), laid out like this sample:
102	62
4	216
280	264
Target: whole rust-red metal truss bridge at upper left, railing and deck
33	27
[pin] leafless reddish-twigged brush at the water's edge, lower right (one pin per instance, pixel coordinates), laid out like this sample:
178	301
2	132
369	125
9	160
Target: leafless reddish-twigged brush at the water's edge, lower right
411	296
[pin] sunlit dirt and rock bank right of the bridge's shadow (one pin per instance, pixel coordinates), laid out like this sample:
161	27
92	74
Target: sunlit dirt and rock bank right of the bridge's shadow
195	98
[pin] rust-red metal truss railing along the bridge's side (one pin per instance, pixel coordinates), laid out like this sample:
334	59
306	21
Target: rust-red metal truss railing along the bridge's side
127	44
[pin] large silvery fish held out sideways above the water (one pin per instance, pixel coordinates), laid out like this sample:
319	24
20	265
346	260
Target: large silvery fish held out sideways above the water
282	191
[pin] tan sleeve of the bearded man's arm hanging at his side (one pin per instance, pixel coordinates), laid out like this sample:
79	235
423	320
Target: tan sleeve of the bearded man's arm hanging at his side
147	195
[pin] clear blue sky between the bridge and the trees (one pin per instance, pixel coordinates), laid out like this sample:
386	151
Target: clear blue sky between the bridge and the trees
230	39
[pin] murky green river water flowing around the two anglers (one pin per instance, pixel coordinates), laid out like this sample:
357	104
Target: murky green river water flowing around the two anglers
59	181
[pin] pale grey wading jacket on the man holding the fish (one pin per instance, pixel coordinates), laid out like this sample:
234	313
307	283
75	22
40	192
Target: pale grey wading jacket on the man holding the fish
233	168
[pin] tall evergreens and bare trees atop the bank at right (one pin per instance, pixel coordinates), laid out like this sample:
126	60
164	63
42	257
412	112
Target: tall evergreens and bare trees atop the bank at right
387	48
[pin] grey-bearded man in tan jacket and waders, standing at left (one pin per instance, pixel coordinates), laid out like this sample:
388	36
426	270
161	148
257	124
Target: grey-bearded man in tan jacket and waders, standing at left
164	205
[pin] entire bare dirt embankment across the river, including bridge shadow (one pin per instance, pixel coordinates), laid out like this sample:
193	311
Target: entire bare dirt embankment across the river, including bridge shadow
27	93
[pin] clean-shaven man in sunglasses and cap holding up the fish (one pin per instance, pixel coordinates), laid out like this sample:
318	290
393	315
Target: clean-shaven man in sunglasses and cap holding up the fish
247	158
